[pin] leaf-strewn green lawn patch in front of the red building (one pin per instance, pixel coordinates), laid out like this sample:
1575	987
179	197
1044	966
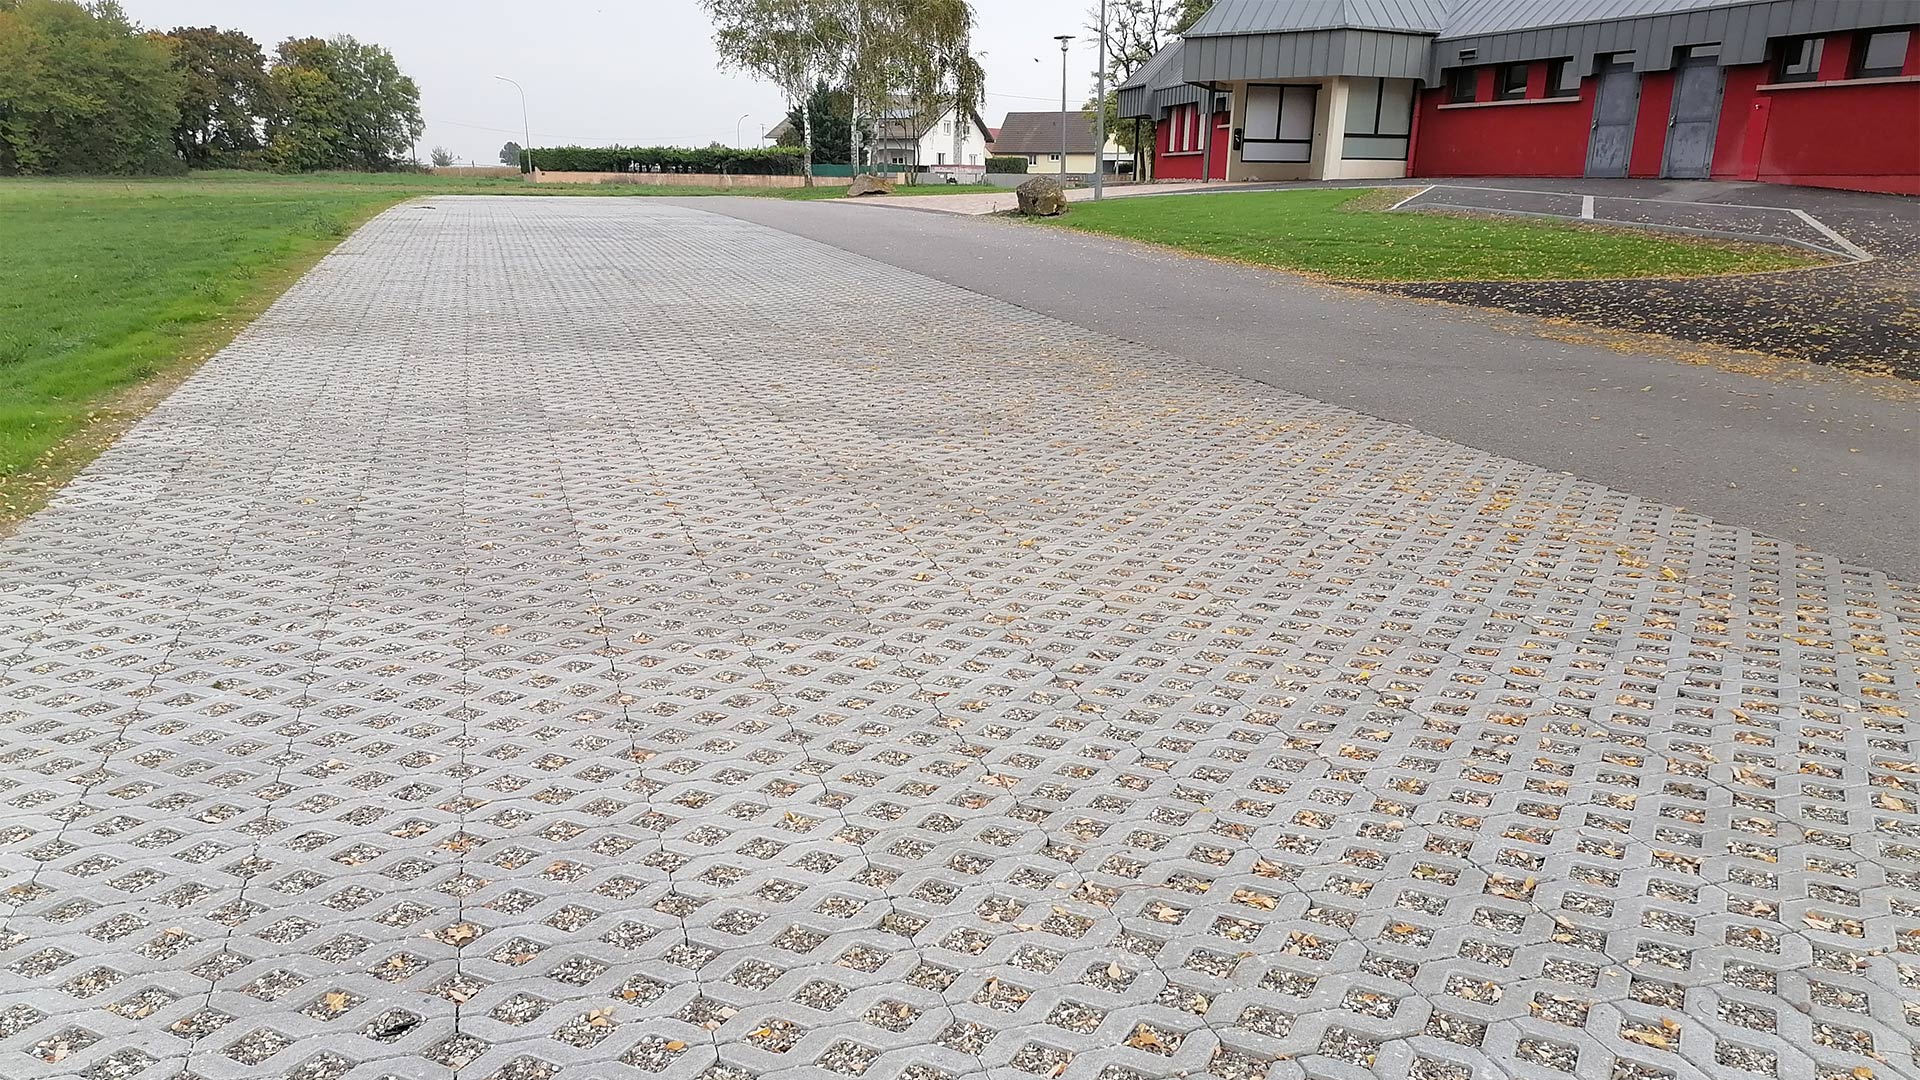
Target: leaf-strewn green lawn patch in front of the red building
1347	233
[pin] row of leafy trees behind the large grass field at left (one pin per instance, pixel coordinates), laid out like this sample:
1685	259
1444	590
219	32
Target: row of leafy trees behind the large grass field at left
84	89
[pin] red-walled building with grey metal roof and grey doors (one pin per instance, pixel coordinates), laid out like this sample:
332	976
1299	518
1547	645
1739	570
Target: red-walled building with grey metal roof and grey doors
1783	91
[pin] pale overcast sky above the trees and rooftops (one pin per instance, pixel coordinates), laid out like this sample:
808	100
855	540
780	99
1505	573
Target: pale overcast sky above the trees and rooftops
602	72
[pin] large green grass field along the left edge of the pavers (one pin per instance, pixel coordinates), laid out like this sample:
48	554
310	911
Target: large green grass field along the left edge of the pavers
112	287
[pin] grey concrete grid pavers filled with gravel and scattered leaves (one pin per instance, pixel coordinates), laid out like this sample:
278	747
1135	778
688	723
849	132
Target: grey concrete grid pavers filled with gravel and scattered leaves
600	639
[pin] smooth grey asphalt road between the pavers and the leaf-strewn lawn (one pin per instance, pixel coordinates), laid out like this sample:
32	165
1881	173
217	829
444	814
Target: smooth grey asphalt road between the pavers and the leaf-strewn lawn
1825	460
